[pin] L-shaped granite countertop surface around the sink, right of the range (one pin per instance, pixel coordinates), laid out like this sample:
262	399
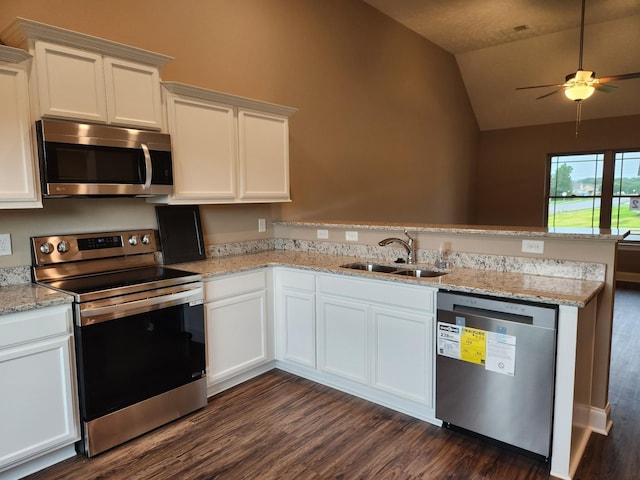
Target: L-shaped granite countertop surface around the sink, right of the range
538	288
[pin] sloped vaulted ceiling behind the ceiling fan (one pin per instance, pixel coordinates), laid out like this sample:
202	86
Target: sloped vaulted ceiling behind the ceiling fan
503	44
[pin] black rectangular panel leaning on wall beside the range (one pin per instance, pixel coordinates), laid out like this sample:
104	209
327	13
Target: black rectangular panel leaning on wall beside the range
180	233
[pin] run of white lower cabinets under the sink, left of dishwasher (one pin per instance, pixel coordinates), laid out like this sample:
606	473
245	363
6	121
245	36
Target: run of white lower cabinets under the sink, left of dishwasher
372	338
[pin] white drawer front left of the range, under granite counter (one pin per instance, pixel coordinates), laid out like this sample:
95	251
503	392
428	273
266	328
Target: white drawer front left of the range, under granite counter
23	327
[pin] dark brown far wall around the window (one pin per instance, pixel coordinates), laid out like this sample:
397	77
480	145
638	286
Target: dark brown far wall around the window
512	163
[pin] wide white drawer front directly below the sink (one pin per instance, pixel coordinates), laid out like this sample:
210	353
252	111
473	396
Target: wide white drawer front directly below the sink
378	291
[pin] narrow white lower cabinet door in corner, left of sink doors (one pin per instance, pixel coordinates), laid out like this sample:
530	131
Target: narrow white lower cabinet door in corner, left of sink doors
296	328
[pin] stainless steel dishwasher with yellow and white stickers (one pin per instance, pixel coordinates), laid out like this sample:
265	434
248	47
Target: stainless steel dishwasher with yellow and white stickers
495	368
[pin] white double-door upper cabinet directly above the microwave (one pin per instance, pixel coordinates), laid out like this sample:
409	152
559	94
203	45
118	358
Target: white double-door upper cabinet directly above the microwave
81	77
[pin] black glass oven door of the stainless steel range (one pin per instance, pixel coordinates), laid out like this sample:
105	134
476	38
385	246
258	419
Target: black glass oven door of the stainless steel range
132	351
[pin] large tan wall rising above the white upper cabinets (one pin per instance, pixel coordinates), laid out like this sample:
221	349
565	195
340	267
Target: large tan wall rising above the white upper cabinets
384	126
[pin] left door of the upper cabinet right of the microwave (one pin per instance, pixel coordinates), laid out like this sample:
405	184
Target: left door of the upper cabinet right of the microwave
204	144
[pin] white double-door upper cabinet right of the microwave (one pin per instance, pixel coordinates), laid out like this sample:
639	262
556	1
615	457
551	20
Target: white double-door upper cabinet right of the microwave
226	149
